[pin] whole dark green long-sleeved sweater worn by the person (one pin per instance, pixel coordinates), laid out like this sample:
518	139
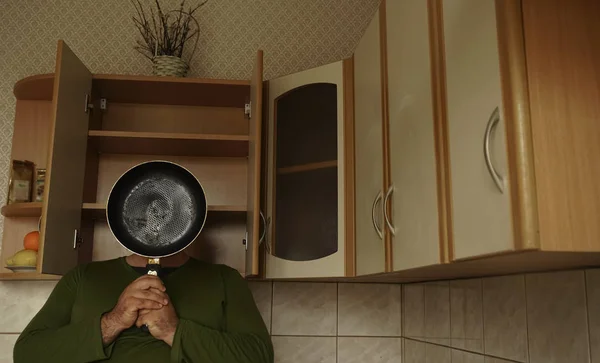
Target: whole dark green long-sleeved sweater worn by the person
218	319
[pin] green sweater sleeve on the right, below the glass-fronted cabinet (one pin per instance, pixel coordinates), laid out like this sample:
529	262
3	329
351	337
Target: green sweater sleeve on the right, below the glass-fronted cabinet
244	339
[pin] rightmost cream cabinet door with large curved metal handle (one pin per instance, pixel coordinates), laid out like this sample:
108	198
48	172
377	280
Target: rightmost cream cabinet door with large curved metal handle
476	120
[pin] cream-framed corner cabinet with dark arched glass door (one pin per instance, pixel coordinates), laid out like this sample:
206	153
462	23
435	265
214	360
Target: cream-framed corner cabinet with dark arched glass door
309	200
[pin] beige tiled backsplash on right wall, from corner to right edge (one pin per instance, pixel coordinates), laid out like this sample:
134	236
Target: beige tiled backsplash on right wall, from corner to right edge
533	318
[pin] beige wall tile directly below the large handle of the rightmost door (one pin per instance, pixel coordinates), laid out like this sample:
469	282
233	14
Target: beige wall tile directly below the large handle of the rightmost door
505	317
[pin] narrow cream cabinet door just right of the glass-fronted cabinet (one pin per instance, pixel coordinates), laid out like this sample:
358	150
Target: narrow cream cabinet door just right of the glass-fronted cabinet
368	153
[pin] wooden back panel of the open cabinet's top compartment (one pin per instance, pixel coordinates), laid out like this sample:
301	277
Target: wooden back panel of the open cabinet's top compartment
175	119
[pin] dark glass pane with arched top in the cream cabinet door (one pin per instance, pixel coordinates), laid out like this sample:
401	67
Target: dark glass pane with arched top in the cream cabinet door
306	177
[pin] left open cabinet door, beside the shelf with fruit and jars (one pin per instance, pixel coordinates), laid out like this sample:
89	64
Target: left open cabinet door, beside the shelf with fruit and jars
61	212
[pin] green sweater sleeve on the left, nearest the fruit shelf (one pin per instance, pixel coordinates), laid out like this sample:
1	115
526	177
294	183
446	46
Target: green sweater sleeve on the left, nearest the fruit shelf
52	337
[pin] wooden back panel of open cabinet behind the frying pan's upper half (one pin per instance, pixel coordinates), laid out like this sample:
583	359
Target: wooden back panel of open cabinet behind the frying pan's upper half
223	179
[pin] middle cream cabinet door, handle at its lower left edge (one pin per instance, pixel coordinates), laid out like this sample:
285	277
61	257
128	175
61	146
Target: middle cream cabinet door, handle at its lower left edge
411	197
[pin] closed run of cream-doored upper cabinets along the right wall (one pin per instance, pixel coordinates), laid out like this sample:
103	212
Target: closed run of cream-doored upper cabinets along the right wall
487	138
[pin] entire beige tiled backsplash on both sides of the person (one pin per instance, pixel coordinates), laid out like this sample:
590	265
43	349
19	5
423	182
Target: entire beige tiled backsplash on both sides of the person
533	318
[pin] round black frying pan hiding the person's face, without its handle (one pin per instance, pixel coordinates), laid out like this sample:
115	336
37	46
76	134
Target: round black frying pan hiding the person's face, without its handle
156	209
